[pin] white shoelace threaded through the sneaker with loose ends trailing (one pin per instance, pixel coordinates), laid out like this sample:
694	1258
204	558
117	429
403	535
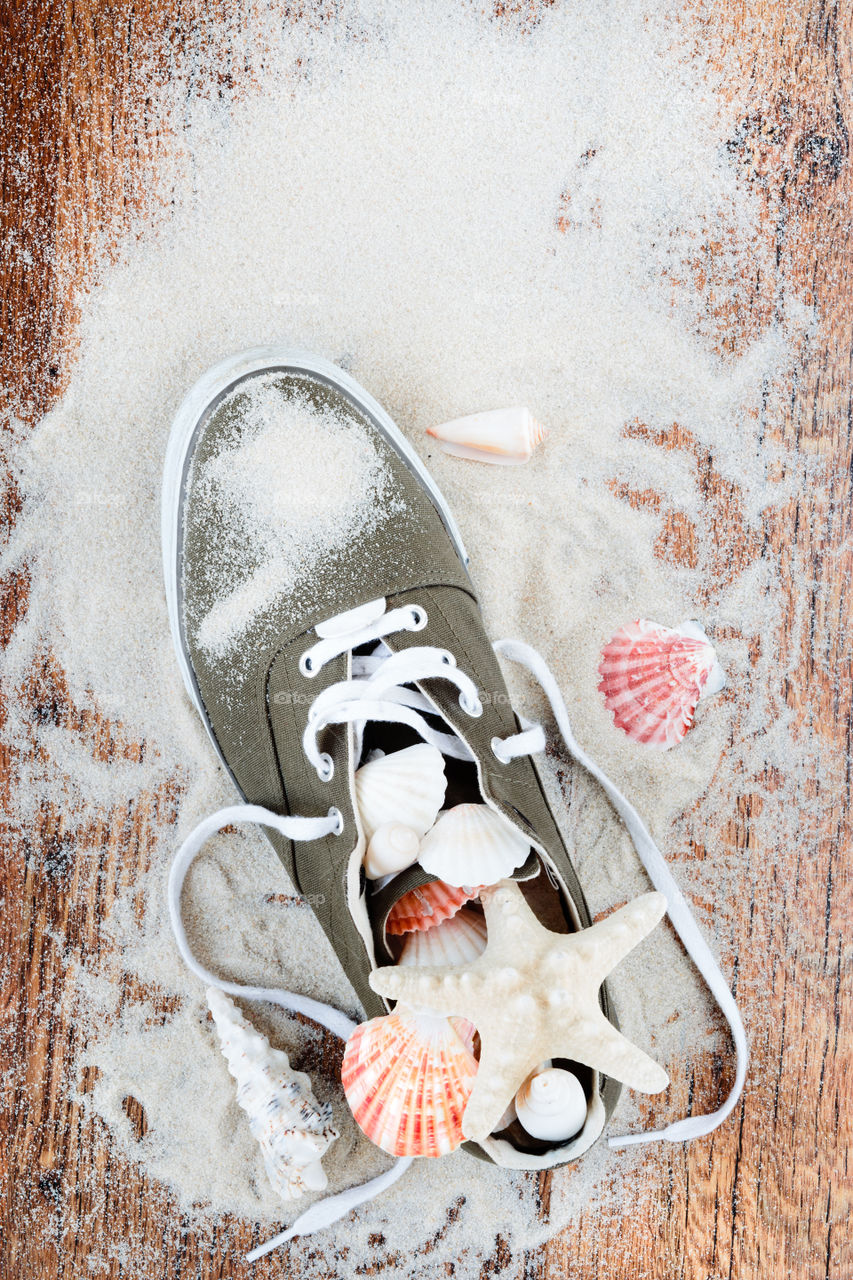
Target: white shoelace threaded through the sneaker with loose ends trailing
376	693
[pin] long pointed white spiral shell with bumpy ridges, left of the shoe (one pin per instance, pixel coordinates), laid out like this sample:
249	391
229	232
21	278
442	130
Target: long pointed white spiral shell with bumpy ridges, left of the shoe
293	1130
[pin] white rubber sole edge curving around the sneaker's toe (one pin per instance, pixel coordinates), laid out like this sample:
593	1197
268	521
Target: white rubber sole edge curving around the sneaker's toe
212	388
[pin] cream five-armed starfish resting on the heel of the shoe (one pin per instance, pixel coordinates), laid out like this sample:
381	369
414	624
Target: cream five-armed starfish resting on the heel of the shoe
533	995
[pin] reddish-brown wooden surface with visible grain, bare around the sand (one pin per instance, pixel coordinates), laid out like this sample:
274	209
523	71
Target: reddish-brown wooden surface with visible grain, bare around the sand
769	1195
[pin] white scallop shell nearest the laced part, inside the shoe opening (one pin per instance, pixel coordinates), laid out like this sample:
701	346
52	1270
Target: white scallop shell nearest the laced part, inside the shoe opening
405	787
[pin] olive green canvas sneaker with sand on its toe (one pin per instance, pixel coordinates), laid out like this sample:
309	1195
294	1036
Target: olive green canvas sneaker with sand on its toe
323	615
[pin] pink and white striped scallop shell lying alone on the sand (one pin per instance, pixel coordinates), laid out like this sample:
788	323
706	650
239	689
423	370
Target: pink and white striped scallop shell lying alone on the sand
653	679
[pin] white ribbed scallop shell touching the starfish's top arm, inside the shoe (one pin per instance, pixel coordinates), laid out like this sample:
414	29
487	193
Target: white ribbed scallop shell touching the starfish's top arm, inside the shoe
471	845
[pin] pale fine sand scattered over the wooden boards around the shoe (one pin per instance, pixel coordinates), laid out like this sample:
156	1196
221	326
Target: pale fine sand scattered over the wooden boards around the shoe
395	205
